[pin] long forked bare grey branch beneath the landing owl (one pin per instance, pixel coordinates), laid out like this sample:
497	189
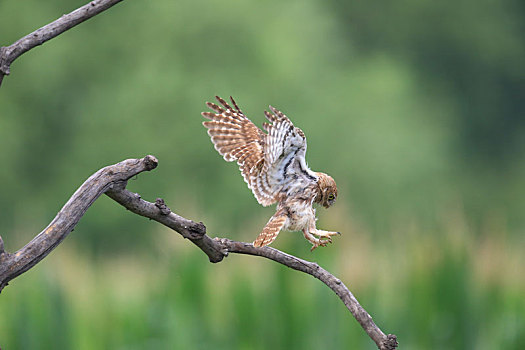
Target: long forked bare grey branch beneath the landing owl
112	180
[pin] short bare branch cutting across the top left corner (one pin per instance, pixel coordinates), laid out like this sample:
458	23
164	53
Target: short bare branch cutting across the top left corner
10	53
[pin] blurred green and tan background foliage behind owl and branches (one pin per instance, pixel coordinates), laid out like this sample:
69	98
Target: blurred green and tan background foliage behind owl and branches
416	108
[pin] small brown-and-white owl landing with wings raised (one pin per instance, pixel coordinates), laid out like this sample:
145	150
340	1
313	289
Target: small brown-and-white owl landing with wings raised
274	167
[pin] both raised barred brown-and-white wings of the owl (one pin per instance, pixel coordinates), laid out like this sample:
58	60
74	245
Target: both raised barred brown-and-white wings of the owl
268	162
